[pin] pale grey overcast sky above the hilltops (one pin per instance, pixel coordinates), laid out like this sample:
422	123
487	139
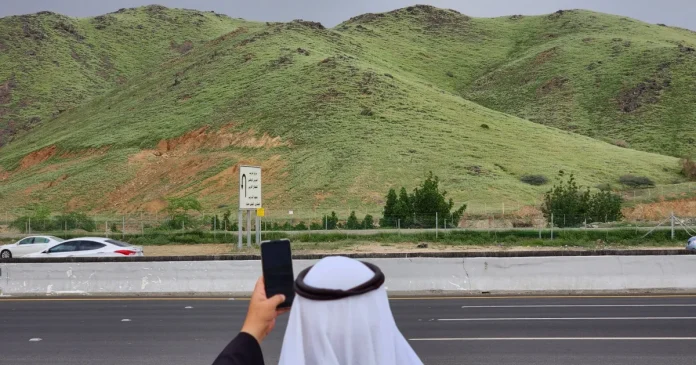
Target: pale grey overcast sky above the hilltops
680	13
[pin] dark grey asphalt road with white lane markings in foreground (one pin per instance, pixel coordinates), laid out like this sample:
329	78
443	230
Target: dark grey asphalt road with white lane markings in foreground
539	330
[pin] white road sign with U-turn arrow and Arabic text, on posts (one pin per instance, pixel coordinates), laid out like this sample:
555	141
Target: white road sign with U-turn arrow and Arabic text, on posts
249	200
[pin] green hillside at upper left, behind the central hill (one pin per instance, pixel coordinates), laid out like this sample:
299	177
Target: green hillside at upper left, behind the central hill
51	63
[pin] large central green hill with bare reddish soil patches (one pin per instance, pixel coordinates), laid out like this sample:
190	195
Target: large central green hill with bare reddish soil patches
334	123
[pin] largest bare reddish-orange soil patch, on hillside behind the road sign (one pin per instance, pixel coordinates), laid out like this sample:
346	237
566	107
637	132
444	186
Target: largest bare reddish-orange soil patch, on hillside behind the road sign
175	166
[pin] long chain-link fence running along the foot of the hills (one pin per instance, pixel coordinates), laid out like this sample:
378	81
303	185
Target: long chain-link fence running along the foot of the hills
146	223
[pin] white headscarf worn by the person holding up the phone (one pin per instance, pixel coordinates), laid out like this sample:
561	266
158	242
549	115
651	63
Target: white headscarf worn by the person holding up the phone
357	330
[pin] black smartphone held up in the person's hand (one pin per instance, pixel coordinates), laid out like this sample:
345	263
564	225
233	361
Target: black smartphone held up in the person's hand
276	263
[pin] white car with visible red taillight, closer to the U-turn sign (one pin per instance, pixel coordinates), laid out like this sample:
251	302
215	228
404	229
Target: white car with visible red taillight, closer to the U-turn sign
90	247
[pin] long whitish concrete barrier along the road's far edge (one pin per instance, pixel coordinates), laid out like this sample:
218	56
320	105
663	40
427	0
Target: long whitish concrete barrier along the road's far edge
415	276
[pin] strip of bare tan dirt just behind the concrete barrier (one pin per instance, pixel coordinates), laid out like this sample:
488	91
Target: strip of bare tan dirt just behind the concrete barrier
362	247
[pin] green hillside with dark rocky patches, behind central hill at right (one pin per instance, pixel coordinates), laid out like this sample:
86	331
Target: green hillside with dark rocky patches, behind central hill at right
604	76
